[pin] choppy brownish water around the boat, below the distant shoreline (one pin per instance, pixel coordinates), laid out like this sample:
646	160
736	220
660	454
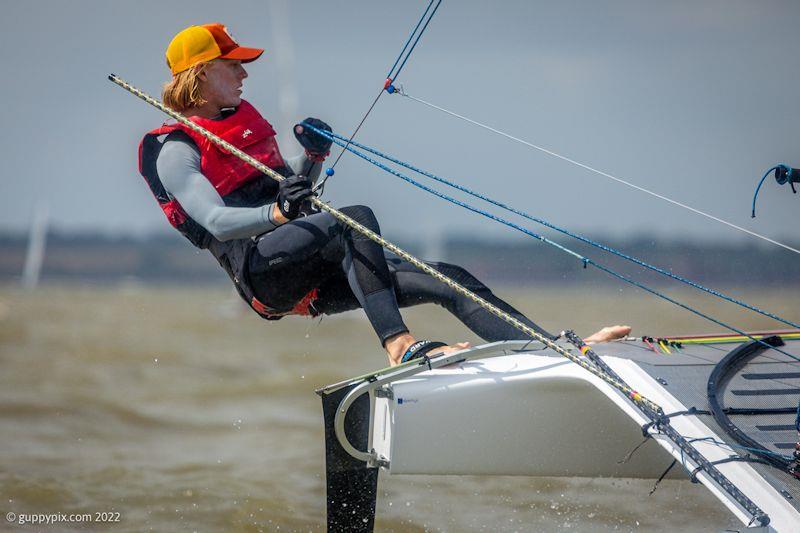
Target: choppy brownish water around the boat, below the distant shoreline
183	412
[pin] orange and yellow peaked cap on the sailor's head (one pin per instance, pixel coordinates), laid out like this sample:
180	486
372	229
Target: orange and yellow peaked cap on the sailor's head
198	44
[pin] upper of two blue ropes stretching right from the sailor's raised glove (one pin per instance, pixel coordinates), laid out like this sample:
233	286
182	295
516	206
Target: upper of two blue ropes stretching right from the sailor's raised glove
576	236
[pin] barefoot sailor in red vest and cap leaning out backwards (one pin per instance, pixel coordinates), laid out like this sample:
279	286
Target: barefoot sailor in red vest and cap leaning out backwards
283	257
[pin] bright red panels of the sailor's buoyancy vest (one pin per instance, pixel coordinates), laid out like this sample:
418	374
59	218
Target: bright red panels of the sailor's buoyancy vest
245	129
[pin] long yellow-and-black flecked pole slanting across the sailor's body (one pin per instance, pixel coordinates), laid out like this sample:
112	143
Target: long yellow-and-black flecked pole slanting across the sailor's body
371	235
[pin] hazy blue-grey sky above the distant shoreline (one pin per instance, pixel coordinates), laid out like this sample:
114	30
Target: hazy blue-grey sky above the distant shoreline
691	99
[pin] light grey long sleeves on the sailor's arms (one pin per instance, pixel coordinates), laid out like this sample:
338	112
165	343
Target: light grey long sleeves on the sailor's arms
178	166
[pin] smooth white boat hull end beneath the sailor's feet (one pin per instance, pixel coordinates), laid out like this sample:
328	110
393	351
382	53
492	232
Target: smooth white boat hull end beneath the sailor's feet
514	415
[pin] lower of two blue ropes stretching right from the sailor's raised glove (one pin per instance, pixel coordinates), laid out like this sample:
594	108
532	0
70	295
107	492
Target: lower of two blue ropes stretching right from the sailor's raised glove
586	261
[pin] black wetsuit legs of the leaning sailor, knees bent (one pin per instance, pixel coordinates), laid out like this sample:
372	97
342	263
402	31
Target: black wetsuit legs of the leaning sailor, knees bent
351	271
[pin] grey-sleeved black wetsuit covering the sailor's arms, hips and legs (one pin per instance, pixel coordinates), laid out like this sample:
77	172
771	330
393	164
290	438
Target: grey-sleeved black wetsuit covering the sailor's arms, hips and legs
282	263
